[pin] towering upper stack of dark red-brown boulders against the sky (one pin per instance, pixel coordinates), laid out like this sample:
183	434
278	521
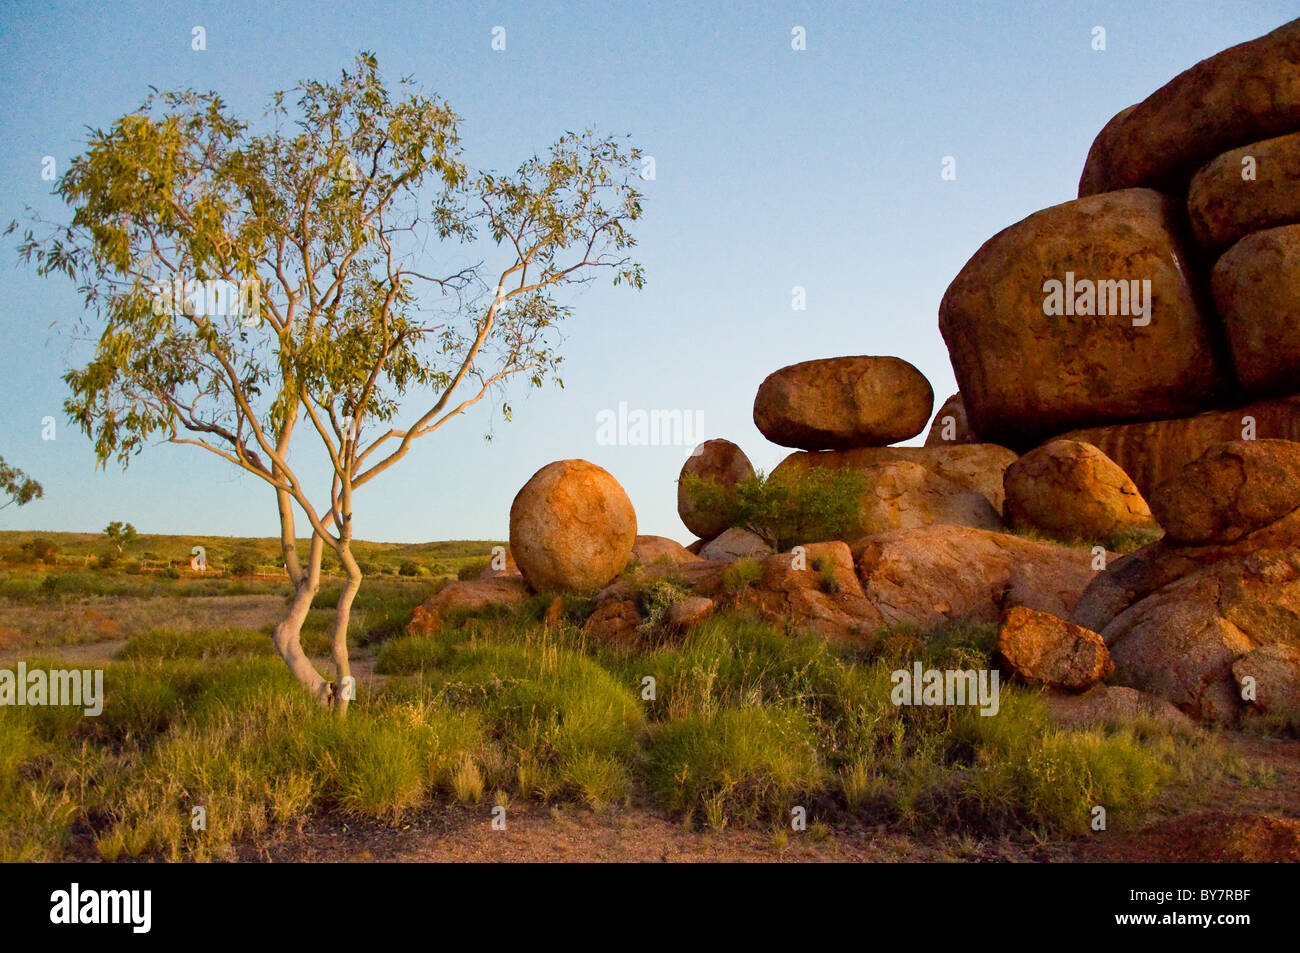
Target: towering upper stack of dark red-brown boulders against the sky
1159	314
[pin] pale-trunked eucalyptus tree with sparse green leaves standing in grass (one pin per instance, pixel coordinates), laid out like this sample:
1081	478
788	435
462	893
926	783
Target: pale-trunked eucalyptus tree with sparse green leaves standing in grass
340	279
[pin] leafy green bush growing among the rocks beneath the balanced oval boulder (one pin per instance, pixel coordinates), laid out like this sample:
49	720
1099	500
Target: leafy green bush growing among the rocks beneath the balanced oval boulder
807	506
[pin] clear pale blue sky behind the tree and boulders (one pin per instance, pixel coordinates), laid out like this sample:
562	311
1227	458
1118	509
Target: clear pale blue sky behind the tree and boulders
774	168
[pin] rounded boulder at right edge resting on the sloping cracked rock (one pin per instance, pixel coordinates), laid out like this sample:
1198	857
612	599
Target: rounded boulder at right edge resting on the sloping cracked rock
1230	492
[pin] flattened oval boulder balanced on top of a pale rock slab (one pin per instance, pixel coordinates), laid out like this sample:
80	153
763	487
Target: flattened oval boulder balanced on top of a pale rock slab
844	402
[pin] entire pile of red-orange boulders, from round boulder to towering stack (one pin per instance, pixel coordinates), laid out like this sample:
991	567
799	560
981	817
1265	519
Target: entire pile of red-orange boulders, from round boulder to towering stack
1129	366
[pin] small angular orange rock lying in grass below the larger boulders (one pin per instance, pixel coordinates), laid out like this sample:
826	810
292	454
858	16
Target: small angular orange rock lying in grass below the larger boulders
1046	649
